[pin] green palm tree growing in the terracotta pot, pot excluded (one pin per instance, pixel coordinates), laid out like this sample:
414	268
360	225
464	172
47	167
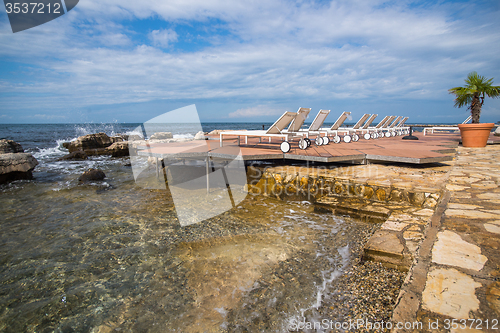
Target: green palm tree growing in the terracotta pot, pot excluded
473	94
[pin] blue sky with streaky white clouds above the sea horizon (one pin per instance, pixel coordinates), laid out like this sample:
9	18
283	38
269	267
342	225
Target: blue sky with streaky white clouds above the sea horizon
129	61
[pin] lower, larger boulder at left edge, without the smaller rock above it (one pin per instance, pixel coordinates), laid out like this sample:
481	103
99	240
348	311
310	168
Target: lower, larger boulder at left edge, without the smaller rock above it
14	166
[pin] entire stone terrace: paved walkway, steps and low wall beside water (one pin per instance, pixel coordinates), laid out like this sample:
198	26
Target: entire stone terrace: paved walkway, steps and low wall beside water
440	221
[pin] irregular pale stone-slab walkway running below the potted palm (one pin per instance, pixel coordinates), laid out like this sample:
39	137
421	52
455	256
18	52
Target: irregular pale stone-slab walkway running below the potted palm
454	283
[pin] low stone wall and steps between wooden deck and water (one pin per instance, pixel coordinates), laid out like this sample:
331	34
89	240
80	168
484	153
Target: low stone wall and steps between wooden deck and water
403	207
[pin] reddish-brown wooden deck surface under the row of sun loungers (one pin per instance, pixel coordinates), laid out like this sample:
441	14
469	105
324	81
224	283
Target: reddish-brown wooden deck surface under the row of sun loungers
430	148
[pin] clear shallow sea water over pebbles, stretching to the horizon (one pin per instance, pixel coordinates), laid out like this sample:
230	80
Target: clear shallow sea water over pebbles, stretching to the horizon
111	255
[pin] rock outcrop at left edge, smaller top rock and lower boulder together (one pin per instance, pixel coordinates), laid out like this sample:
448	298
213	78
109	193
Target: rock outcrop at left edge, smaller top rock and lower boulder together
15	164
